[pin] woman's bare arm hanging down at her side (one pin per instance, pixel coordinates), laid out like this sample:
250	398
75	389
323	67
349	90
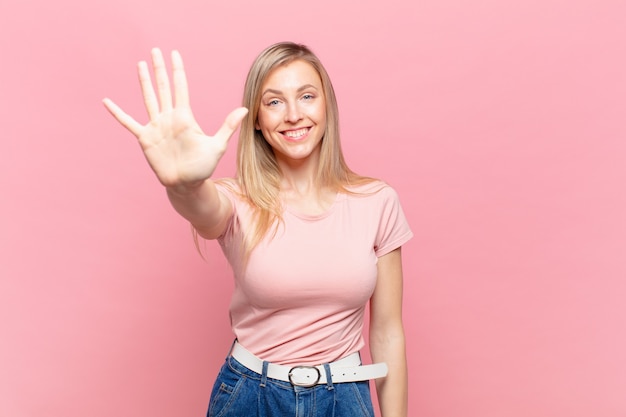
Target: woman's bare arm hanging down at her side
387	335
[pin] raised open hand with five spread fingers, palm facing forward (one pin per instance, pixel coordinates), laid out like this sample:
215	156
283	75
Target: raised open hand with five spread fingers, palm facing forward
179	153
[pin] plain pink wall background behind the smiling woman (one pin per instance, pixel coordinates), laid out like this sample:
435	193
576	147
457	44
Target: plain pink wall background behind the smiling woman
500	123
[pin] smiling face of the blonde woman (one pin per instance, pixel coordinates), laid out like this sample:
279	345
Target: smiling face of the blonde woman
292	112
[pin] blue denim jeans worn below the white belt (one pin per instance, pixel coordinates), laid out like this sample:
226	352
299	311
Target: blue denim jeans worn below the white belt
240	392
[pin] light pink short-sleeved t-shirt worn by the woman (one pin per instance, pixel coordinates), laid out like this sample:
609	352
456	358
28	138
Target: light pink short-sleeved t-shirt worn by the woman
302	296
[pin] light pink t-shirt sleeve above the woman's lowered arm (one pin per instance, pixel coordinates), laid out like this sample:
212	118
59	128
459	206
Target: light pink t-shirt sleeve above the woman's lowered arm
393	227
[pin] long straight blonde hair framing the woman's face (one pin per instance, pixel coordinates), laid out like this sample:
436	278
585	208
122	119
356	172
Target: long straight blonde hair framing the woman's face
258	172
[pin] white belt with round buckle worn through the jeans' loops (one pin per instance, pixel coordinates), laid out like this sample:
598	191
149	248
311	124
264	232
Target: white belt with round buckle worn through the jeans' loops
348	369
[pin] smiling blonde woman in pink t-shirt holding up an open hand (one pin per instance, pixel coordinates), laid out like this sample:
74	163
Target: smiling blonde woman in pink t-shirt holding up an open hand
310	242
